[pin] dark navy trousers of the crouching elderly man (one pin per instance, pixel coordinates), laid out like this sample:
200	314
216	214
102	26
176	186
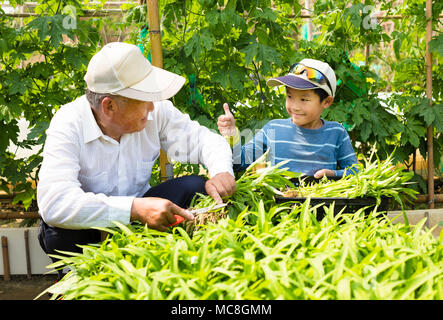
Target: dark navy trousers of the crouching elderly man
179	191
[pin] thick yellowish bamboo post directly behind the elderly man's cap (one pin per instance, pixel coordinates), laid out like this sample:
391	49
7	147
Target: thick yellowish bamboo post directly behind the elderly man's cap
157	60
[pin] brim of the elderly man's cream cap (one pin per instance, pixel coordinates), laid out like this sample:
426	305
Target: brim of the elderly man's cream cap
158	85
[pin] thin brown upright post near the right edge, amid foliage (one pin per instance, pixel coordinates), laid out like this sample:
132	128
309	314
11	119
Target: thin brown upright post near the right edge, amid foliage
430	129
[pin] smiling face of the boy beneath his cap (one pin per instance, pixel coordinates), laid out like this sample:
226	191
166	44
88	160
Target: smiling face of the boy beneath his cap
305	108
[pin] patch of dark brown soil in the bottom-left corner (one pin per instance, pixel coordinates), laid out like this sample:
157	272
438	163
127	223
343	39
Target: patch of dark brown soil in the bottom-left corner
19	287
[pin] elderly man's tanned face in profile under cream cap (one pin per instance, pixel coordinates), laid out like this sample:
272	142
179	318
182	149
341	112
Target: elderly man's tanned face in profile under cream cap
130	115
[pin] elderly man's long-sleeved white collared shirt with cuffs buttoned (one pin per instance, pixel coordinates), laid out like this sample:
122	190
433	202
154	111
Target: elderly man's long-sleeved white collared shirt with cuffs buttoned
88	179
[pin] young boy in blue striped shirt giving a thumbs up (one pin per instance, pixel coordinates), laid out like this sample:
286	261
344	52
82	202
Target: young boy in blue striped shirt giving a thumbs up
313	146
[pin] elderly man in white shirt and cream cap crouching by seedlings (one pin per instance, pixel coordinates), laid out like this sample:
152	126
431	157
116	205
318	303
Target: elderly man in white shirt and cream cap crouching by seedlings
101	147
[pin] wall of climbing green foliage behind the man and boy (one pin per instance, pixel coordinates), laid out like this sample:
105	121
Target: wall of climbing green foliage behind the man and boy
228	49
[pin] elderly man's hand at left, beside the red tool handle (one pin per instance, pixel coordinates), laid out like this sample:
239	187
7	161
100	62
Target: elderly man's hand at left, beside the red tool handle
157	213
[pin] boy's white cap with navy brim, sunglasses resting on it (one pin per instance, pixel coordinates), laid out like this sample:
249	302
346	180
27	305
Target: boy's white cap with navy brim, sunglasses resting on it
301	81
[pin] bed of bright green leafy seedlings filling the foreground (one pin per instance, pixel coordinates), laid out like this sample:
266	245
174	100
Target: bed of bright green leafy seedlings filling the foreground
265	252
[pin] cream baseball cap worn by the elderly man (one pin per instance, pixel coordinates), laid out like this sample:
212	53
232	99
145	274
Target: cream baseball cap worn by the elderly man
120	68
